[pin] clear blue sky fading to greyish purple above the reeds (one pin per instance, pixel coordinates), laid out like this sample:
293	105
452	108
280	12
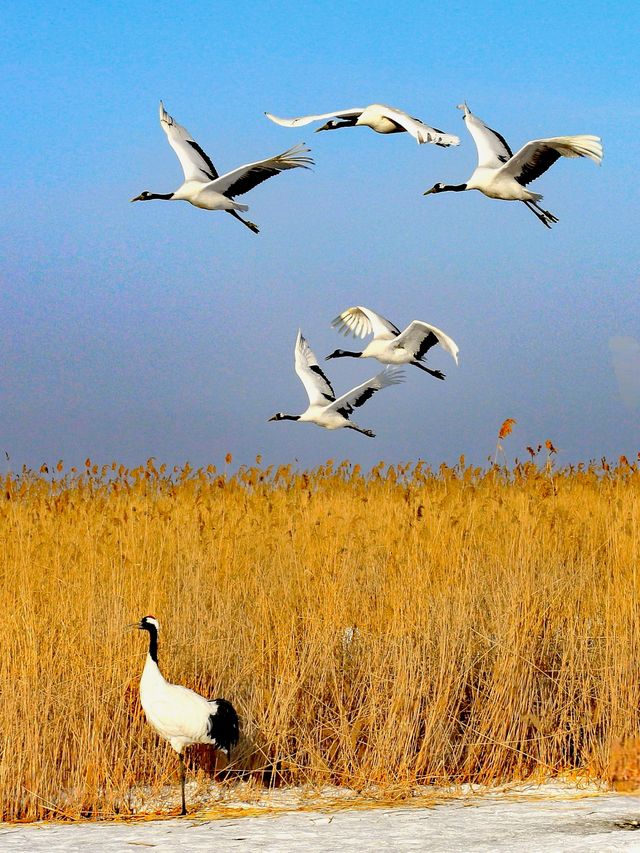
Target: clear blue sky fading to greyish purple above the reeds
159	329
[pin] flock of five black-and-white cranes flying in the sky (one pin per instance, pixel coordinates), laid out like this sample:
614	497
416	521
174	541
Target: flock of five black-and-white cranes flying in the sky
500	174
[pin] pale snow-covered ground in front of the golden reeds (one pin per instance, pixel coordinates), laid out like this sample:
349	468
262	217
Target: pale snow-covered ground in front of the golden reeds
545	819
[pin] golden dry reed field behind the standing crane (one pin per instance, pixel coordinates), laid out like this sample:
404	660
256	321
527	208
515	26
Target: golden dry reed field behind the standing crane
379	629
